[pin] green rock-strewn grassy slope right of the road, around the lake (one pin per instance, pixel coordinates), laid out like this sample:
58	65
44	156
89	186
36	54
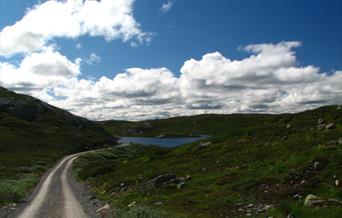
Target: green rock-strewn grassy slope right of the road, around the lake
251	160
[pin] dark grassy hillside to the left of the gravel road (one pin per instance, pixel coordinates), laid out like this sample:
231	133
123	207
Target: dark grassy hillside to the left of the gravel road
33	135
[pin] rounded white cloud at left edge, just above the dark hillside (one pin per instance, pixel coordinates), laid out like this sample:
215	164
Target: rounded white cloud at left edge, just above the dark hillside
38	73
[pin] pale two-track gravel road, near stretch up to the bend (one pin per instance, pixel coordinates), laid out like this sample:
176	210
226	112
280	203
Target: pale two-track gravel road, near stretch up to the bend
58	195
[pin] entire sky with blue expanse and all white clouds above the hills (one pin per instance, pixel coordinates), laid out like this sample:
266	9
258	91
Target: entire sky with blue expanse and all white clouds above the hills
140	60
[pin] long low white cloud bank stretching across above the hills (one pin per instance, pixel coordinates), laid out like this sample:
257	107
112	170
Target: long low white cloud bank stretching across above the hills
269	81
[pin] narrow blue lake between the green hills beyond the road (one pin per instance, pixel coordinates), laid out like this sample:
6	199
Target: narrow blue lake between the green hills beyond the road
162	142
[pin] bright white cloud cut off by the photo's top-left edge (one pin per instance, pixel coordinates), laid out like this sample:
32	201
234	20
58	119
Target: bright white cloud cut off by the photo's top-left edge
71	19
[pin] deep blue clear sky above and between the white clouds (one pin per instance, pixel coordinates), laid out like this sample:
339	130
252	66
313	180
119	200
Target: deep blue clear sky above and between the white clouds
193	28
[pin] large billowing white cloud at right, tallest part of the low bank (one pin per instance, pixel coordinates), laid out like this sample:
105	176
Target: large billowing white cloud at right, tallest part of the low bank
267	81
